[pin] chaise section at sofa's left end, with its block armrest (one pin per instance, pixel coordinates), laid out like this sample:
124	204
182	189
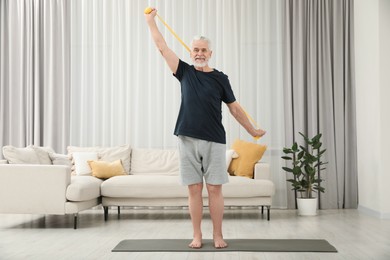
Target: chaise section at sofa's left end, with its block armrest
46	189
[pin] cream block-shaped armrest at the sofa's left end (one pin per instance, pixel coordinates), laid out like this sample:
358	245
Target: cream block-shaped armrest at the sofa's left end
33	189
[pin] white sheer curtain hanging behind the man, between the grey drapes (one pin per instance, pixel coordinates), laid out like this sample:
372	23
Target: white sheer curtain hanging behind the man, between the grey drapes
122	92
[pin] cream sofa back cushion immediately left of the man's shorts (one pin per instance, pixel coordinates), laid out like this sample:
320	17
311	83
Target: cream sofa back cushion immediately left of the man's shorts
154	162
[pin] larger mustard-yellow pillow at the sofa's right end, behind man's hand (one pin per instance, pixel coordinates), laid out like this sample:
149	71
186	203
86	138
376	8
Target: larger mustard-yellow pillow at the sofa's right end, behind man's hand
248	155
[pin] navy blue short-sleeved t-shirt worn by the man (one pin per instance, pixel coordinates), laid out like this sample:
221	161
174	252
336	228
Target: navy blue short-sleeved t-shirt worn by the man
202	94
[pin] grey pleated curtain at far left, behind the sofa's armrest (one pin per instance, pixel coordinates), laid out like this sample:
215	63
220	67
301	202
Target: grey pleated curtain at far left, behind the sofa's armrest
34	73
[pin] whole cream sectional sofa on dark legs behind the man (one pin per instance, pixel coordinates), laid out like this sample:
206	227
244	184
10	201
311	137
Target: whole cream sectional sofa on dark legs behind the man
151	179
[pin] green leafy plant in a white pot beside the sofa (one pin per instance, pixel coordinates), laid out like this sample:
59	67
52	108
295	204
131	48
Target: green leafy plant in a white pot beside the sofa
305	166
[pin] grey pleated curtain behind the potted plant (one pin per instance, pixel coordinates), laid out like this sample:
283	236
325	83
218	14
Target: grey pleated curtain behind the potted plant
320	90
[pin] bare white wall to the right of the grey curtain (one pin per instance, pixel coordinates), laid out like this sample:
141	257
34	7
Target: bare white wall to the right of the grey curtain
372	59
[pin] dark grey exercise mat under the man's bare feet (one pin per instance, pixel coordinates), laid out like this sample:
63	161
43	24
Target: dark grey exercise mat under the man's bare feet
249	245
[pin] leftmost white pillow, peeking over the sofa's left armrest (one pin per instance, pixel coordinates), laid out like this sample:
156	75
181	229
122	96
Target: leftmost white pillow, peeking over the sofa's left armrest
26	155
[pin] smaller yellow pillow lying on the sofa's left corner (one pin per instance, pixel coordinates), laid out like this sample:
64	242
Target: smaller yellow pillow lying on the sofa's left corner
105	170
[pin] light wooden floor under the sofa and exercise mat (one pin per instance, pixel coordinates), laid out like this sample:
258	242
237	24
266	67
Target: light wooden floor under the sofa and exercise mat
355	235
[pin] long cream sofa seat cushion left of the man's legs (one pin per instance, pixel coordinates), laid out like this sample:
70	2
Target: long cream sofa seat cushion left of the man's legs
143	186
